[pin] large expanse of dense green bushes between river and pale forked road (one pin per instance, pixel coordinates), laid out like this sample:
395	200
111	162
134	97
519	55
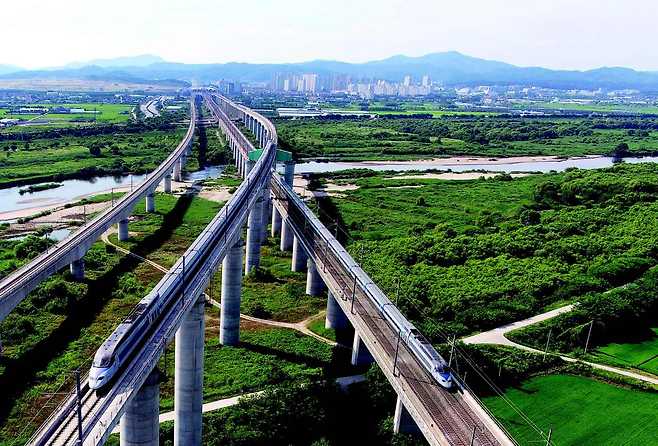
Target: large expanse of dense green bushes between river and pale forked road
473	255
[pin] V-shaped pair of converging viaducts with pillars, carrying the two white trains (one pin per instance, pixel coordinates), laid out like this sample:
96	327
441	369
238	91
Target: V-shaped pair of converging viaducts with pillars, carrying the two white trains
88	417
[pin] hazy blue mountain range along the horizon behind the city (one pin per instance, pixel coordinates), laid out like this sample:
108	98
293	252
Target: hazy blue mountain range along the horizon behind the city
450	68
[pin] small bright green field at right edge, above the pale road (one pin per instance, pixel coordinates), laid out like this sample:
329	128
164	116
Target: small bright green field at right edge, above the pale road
641	354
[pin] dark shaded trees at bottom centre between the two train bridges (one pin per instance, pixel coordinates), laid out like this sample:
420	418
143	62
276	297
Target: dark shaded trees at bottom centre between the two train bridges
312	414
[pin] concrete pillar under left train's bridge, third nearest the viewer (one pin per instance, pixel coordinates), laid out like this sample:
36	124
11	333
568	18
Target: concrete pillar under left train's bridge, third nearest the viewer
229	320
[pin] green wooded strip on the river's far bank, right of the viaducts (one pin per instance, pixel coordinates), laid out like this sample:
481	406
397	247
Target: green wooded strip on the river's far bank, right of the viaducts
381	138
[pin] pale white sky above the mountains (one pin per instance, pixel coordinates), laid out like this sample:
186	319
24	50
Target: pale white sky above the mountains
563	34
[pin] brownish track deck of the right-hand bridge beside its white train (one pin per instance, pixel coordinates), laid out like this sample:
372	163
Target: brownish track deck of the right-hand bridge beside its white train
444	417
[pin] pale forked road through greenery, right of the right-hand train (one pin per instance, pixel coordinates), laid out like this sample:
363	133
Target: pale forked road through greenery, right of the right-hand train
497	337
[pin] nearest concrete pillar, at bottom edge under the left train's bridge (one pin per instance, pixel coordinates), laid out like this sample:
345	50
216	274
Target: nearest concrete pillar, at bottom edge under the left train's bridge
140	424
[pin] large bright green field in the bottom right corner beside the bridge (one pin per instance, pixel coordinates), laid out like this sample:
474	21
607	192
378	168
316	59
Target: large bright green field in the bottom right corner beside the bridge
581	411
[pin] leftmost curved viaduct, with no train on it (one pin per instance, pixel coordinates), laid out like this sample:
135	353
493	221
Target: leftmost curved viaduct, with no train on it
15	287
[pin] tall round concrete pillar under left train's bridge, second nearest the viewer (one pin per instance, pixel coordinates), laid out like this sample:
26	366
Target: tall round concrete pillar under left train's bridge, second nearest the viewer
188	377
